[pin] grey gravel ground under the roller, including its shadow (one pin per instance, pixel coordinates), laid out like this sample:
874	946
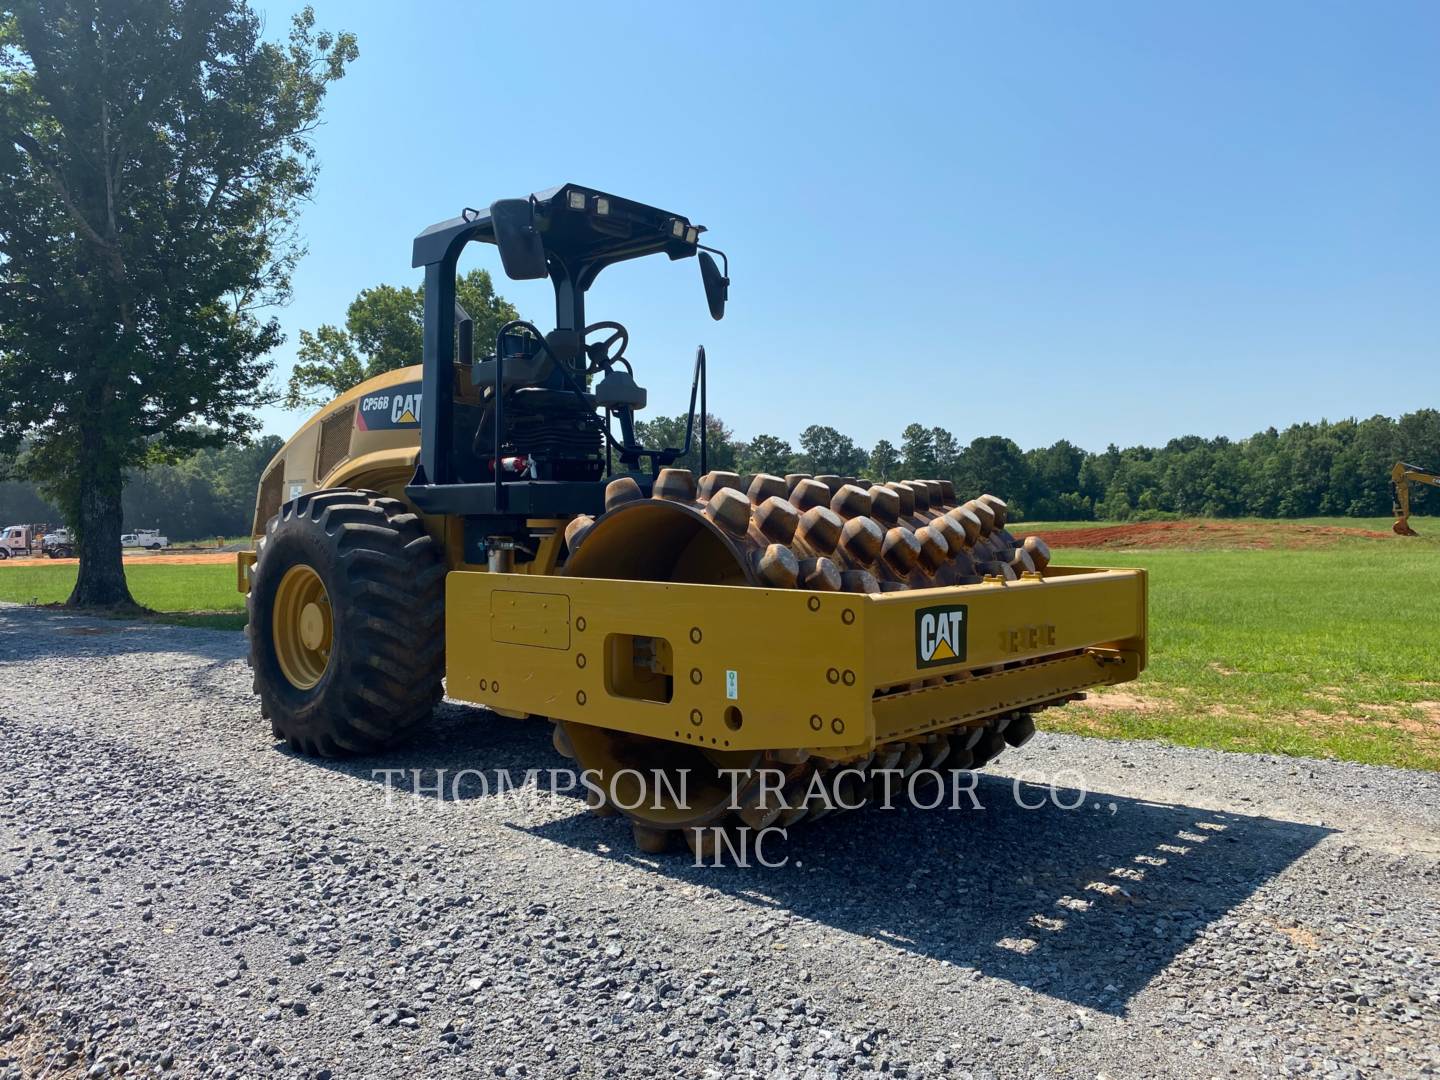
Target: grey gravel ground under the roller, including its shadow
181	895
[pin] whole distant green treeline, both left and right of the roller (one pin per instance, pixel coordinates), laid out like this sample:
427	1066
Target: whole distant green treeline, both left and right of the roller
1334	469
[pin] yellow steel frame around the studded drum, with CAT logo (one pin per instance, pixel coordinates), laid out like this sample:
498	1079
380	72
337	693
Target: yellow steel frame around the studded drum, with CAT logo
748	669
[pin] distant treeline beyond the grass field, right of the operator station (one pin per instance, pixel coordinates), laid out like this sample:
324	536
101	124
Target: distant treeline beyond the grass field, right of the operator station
1331	469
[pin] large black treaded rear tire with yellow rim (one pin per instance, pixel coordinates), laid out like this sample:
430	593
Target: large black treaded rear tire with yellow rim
379	656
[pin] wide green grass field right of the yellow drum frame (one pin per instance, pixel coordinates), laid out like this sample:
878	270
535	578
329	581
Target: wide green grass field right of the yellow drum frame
1320	653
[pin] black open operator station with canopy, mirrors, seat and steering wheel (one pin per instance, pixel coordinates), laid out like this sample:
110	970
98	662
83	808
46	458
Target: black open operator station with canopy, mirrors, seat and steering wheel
526	424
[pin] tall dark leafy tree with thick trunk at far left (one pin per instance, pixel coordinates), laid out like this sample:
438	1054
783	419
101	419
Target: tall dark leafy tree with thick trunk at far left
153	156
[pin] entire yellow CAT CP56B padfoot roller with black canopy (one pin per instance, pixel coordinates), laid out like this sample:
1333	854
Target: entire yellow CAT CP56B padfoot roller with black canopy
714	650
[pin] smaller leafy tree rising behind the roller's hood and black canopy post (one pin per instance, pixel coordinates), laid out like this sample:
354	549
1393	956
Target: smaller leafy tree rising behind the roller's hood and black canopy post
384	332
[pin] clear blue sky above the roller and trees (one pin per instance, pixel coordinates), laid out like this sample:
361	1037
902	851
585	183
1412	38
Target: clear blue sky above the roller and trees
1101	222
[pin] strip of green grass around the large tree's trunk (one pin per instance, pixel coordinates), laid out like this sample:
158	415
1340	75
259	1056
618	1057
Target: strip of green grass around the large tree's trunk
184	595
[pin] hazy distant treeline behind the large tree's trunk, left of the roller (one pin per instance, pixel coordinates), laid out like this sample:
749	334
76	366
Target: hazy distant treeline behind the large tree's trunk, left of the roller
208	495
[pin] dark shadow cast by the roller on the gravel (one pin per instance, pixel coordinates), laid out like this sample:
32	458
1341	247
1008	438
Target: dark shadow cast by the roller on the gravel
1086	905
